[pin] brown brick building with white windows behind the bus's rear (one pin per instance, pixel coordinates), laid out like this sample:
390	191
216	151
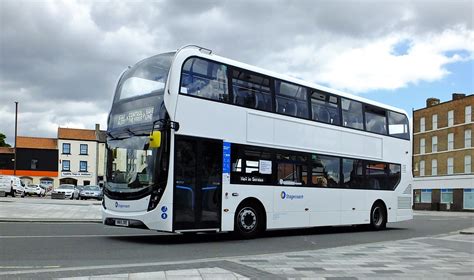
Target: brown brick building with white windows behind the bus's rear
443	154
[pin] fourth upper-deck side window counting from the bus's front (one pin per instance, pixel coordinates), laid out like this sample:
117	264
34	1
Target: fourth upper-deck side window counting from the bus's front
325	107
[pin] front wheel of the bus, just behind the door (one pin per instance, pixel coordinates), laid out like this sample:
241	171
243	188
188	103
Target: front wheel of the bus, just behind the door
249	221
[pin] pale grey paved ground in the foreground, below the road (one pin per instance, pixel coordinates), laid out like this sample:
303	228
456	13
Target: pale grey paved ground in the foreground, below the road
448	256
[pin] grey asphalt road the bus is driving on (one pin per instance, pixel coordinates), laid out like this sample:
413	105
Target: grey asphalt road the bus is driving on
42	245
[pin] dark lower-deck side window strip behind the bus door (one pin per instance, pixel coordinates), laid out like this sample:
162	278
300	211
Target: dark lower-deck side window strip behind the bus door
265	166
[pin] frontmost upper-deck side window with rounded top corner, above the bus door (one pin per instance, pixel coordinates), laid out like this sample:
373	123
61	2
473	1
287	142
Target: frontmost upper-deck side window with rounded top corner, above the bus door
205	79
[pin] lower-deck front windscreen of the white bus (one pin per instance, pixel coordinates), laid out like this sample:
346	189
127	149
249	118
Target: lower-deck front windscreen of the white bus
130	164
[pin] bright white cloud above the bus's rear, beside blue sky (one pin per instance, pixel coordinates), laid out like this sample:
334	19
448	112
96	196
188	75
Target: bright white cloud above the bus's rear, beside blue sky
361	65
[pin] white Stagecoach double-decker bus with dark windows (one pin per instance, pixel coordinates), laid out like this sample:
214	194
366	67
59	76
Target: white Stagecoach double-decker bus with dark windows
198	142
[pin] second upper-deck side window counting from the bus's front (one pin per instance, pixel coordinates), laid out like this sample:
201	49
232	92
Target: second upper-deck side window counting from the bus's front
251	90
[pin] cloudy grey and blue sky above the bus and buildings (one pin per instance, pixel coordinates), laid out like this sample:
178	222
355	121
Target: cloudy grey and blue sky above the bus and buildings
61	59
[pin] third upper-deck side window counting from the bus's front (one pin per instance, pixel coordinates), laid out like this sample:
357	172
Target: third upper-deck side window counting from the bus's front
291	99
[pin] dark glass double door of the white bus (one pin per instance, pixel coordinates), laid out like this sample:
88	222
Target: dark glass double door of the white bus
197	183
